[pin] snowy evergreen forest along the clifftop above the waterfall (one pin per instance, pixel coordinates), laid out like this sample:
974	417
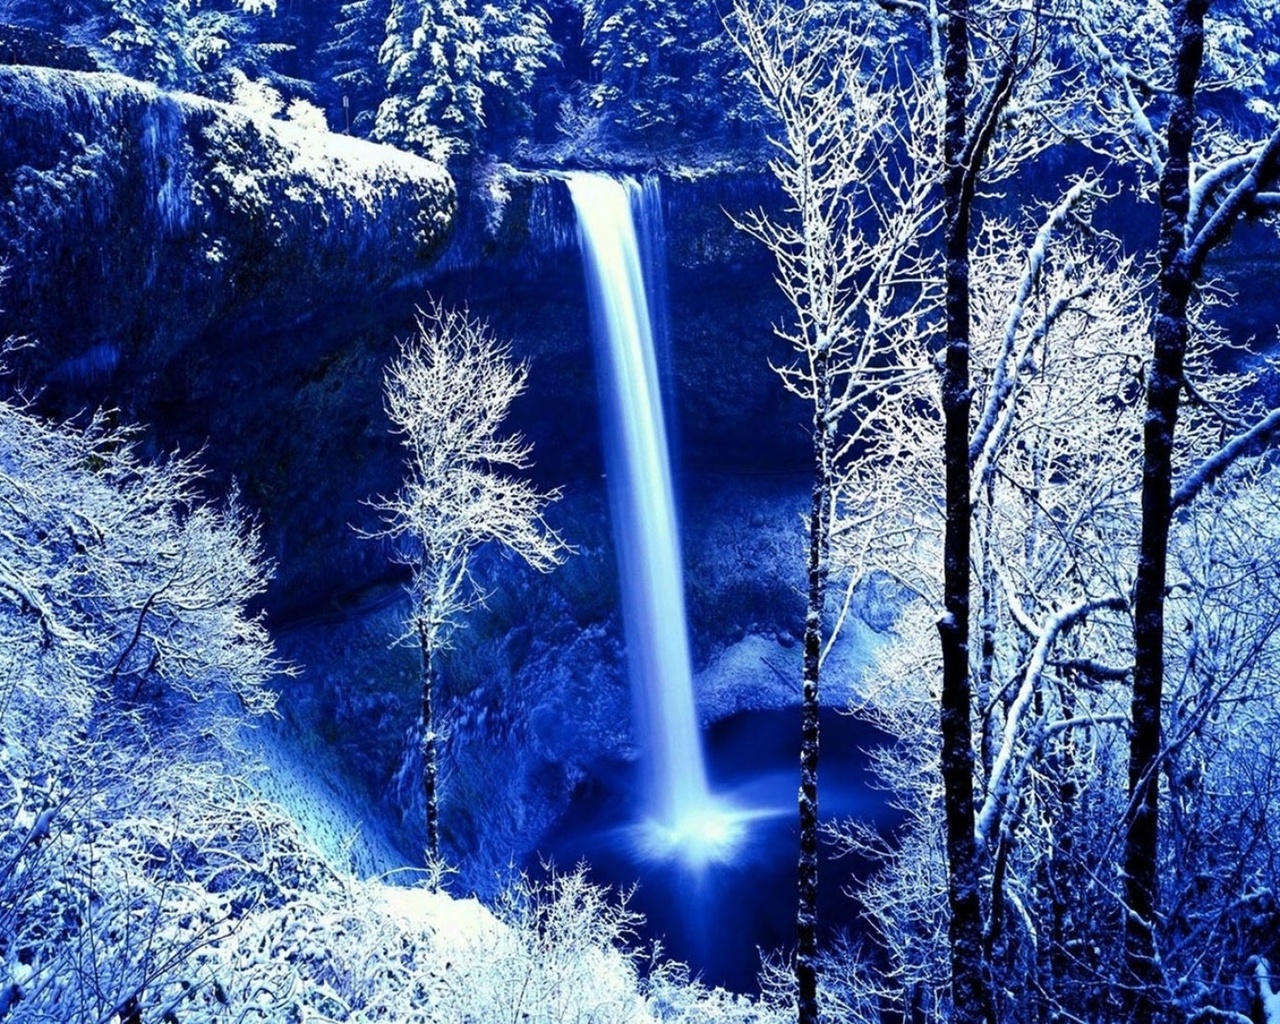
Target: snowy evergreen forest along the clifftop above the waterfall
445	79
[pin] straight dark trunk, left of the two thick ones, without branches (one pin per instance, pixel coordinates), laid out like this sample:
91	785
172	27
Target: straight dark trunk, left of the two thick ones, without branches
971	1003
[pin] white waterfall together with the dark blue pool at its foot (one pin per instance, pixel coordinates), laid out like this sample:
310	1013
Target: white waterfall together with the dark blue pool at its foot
712	847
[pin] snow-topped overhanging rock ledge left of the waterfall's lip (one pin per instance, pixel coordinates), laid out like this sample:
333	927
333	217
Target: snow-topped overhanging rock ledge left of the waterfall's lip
134	222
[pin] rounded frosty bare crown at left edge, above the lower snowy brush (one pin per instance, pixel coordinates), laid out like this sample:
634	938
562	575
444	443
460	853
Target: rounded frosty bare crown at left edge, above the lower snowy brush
120	582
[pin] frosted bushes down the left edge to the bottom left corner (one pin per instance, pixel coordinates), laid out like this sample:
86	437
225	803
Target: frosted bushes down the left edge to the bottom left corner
130	659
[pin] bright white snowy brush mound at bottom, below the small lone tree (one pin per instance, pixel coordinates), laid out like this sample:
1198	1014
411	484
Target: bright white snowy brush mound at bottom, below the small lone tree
554	953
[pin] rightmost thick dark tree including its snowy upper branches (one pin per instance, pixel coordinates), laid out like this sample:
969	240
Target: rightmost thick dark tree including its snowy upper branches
1208	179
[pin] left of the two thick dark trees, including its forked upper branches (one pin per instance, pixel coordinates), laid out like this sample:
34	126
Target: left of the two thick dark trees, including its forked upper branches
980	99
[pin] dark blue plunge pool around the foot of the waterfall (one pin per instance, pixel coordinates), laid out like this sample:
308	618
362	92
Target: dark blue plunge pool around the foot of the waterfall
720	917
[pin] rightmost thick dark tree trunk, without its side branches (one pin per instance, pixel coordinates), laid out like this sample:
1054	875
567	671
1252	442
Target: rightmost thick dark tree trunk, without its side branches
1164	386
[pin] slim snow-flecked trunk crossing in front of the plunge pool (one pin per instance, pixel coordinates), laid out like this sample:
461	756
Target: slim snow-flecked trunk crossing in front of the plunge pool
820	534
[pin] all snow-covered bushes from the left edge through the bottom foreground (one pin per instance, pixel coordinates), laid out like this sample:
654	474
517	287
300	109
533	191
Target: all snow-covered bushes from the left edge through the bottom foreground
141	879
